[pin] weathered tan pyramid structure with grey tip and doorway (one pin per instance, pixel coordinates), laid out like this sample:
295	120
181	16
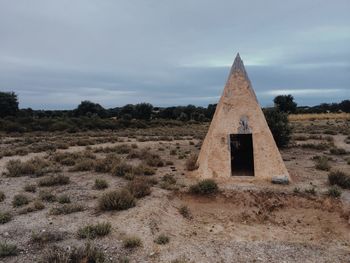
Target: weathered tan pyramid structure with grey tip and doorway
239	142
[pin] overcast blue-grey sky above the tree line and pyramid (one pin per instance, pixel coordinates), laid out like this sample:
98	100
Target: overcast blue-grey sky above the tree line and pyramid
54	54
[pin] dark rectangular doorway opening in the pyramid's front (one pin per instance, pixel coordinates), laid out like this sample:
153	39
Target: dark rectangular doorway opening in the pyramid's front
242	157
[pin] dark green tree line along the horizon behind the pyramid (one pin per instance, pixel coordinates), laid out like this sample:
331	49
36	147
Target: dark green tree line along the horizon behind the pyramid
146	111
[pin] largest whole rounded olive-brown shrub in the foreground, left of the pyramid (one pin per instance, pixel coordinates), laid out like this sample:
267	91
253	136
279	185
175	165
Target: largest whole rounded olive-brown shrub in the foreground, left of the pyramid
116	200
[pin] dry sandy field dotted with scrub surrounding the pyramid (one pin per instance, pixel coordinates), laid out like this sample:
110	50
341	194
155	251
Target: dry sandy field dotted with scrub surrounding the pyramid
62	182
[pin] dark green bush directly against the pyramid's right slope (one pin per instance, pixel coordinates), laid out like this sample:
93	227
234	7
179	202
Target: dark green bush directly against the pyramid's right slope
279	125
